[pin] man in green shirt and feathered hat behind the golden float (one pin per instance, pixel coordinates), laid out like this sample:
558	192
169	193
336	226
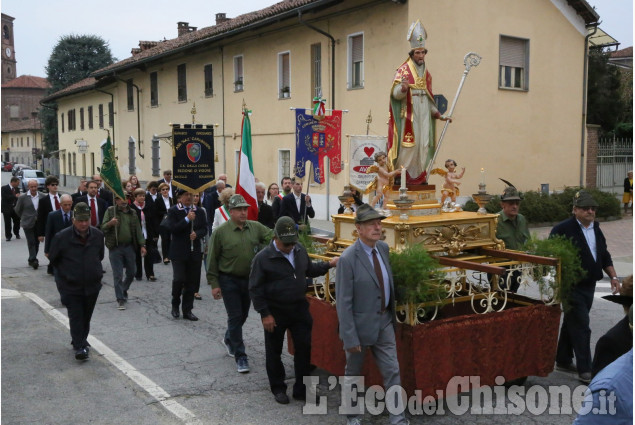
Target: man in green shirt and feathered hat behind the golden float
513	230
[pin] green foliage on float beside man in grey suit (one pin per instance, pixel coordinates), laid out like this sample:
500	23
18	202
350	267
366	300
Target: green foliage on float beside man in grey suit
417	276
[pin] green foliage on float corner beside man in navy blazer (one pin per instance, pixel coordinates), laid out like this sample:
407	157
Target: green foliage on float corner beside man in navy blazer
571	271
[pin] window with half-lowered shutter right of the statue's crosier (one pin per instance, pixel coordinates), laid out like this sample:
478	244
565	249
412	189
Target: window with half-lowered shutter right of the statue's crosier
513	63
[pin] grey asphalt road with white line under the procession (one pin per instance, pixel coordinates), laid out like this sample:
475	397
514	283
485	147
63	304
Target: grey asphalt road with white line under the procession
148	368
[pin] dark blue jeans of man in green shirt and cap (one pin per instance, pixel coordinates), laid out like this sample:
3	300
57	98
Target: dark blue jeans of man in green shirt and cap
235	292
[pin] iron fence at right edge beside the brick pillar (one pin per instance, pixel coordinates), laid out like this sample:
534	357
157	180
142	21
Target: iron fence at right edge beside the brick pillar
615	159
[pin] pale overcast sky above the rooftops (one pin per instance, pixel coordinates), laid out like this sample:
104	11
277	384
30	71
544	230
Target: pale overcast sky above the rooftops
39	24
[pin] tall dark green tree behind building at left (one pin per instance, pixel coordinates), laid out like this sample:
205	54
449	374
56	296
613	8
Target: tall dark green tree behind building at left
74	58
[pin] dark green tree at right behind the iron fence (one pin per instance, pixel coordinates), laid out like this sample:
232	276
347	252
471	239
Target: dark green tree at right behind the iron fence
606	106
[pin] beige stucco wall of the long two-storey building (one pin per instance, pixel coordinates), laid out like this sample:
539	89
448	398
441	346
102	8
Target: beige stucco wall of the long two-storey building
527	137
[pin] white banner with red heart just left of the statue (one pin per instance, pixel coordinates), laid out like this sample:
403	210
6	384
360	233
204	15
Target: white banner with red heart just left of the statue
362	152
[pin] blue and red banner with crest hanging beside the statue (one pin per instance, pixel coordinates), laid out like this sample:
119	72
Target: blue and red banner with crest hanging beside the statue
318	137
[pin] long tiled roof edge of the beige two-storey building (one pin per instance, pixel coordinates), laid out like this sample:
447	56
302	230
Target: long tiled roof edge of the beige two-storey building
209	33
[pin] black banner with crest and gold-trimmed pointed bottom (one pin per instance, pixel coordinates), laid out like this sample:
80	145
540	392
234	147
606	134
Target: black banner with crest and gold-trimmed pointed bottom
193	157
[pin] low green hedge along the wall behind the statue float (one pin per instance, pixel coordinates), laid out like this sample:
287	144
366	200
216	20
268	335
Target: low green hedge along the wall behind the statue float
539	207
